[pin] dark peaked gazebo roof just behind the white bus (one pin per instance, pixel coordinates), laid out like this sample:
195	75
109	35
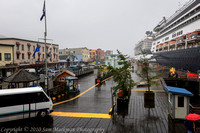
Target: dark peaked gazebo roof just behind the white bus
22	76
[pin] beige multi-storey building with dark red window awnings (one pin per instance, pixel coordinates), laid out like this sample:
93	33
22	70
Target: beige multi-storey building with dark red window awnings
24	49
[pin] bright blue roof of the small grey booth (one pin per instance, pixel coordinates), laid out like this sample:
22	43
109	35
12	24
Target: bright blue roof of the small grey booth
176	90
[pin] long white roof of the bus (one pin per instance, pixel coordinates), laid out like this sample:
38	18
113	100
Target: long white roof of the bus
20	90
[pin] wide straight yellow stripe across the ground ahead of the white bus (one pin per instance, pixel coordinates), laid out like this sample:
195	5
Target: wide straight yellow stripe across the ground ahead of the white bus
85	115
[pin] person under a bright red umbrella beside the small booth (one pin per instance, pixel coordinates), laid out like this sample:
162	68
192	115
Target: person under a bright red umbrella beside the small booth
191	118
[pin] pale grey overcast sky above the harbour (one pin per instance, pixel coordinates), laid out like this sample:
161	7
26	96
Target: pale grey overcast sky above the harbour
105	24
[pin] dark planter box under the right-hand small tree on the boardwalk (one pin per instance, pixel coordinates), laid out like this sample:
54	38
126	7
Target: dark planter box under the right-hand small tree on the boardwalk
149	99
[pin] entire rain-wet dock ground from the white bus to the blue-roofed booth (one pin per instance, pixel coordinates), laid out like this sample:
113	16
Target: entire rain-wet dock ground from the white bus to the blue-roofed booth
97	101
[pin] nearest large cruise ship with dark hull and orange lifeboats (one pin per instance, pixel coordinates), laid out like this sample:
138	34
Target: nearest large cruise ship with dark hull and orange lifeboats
177	39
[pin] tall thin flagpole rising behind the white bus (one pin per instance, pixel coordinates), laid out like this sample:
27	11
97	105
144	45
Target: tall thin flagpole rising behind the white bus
45	39
